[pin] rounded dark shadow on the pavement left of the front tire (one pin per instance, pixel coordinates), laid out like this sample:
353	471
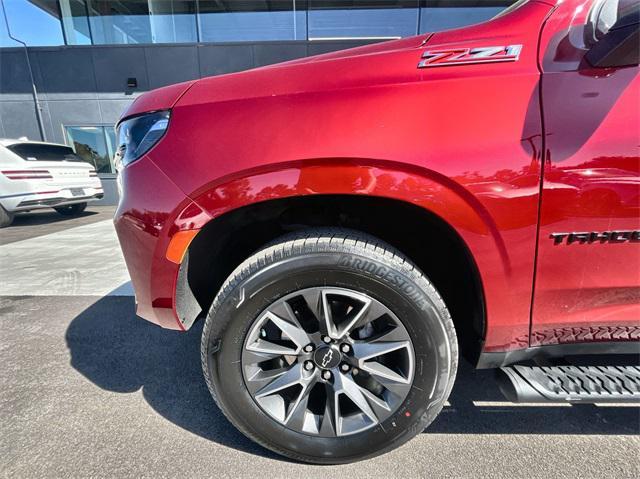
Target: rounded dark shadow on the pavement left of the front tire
119	352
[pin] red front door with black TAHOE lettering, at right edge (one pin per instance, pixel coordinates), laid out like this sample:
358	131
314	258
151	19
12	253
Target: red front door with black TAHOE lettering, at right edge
588	284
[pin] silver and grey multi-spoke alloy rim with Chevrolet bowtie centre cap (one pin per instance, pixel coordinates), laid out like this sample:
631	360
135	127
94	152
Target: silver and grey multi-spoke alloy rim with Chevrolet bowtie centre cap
328	361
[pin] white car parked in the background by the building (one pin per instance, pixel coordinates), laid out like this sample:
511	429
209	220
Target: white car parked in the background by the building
36	175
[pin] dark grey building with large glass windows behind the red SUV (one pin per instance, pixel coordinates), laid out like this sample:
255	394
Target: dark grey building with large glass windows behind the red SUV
68	68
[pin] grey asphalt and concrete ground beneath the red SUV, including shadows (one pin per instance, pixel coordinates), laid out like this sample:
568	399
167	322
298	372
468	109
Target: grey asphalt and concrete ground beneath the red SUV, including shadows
88	389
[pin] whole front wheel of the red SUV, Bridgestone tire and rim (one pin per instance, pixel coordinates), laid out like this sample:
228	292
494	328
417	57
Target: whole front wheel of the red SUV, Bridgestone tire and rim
329	346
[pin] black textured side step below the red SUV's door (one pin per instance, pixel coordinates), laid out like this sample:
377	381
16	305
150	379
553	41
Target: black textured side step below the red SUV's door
586	384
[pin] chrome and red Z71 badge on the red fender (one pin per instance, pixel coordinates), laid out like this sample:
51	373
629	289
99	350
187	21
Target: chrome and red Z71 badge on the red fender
466	56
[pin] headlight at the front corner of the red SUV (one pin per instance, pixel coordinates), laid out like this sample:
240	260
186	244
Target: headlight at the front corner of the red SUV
137	135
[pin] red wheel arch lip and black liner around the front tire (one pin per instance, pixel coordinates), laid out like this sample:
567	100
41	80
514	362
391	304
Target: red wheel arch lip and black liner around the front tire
421	216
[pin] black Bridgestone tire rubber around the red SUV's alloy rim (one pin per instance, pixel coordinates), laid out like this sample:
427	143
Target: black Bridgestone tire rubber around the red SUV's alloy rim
340	258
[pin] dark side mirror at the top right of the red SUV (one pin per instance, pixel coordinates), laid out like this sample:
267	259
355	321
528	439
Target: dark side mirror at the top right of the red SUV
620	45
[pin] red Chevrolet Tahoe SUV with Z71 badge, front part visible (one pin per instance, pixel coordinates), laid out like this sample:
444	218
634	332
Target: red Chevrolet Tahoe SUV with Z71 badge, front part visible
347	224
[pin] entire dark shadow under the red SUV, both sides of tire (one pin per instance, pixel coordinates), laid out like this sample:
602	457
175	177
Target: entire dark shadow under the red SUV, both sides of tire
119	352
